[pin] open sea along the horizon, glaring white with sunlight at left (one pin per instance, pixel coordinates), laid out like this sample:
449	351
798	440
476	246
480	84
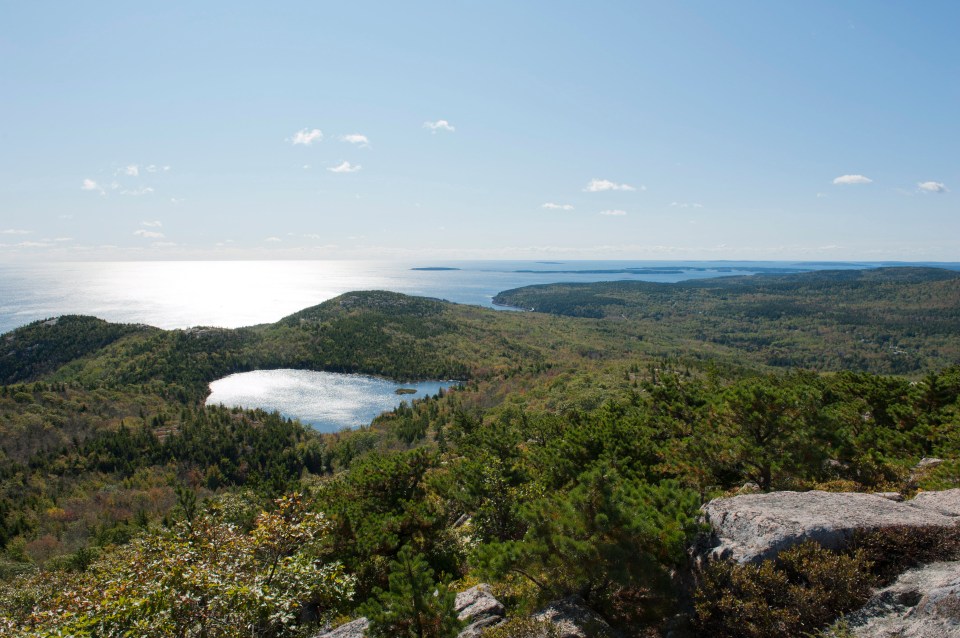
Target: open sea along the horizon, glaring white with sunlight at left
177	294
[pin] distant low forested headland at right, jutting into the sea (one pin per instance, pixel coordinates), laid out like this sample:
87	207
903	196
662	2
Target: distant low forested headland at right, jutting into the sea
892	320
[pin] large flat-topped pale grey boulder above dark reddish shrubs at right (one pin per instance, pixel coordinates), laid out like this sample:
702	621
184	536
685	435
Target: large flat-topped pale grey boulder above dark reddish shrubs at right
754	527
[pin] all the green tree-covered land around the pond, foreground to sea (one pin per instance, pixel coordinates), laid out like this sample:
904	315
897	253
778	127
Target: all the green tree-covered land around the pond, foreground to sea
573	461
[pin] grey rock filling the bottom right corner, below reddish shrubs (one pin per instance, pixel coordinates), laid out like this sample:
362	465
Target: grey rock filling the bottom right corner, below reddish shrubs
922	603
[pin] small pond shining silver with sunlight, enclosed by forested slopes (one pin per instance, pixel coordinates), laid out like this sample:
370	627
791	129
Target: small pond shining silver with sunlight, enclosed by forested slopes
327	401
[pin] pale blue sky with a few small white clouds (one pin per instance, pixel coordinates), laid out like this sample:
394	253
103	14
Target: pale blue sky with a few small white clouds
441	130
